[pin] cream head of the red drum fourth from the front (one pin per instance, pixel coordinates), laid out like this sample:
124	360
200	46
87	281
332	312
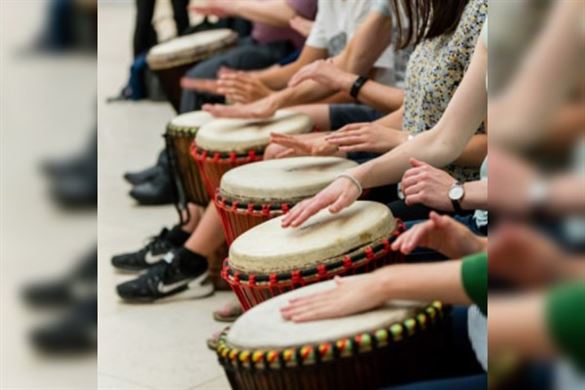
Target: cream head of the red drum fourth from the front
243	135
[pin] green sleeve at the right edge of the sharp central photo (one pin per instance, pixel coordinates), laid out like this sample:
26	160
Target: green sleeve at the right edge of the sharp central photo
474	276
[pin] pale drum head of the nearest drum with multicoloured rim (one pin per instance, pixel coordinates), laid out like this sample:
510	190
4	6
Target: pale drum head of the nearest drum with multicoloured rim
263	327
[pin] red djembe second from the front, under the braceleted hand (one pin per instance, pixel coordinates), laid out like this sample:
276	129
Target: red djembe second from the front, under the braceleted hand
268	260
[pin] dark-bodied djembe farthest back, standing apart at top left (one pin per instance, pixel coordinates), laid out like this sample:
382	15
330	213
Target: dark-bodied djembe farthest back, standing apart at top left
172	59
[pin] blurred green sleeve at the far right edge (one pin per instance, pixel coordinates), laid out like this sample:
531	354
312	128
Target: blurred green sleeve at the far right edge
565	311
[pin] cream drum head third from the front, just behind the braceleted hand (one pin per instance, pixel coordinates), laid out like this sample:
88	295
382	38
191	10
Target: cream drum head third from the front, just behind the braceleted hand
286	179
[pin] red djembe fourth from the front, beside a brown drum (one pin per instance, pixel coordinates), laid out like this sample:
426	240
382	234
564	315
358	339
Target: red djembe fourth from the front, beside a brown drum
228	143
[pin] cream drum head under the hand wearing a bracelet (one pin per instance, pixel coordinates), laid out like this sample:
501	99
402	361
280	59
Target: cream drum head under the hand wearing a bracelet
269	248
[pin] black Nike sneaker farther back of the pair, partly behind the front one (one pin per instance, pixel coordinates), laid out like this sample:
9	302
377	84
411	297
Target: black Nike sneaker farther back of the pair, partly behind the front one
151	254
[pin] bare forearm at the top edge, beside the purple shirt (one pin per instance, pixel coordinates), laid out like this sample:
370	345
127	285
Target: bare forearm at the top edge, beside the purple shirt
272	12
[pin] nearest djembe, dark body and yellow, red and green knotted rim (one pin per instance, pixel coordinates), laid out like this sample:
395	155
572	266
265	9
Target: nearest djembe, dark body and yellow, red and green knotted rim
399	342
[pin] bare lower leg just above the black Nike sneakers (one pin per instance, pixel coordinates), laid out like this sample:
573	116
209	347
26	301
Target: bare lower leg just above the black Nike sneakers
208	236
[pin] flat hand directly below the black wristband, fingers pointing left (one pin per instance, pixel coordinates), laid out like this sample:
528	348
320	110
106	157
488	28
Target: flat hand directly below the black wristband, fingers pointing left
366	137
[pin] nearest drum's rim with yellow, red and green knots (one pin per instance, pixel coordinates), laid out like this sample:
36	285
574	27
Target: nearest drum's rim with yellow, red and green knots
330	350
